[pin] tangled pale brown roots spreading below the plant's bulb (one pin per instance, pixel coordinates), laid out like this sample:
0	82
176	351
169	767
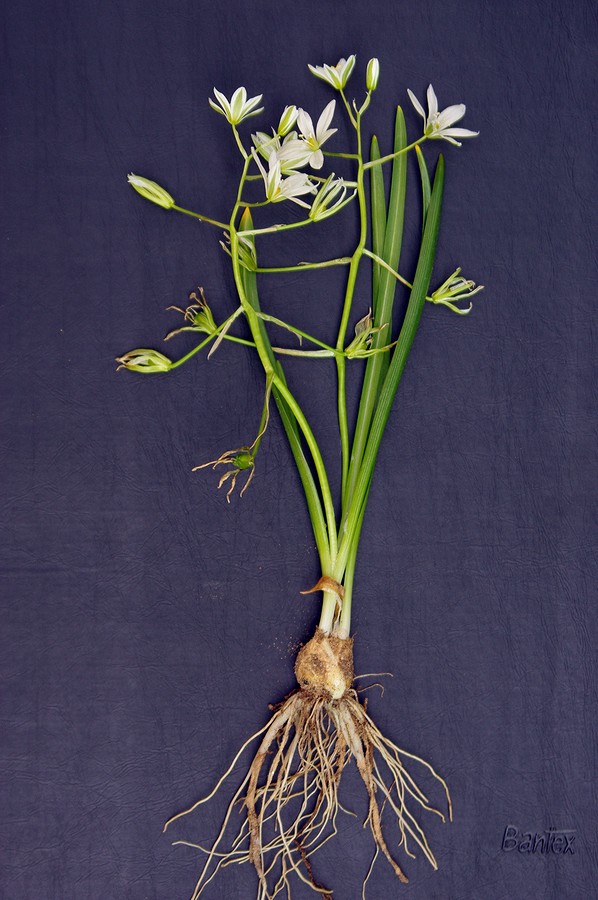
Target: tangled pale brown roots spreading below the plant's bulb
290	793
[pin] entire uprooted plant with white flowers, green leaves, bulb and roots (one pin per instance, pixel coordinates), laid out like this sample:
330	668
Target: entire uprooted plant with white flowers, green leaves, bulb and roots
289	795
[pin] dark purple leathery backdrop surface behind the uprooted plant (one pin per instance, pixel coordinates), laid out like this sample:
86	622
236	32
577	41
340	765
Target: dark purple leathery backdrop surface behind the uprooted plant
146	624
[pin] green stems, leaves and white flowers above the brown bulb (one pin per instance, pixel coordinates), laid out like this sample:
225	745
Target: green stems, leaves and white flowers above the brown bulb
287	154
